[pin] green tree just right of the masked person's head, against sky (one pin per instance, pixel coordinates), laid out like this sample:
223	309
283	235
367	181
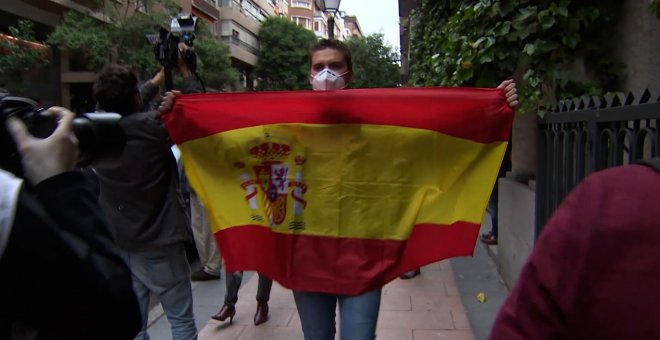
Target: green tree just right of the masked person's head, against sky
375	64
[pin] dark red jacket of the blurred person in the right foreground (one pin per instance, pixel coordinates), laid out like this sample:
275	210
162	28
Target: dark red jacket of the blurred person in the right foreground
594	272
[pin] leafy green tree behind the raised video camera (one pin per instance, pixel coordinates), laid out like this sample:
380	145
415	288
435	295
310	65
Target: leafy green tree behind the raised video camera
122	39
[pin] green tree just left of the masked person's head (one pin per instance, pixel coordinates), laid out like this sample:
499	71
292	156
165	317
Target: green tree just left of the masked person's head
283	60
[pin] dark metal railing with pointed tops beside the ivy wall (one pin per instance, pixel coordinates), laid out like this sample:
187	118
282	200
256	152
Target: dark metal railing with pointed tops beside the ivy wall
588	134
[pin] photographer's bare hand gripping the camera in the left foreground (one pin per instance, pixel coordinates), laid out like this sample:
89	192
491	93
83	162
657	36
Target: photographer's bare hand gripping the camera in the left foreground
44	158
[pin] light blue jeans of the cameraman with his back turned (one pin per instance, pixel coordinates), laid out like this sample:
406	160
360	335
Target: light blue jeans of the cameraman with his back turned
165	273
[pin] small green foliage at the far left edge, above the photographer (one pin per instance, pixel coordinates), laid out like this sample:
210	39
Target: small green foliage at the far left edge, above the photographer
18	59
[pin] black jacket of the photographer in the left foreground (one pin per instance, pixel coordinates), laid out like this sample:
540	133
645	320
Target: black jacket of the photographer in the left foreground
61	274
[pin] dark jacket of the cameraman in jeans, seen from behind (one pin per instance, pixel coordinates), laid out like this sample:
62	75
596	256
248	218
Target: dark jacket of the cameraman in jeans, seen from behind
141	197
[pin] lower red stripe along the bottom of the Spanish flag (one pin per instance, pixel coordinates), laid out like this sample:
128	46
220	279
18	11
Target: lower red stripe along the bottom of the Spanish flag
341	265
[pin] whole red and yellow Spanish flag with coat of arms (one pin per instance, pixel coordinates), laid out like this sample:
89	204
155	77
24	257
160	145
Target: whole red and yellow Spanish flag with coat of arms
342	191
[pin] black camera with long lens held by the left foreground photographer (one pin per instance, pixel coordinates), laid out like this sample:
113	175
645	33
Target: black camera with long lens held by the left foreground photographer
100	138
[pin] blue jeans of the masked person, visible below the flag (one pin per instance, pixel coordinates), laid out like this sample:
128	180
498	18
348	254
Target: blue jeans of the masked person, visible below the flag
358	315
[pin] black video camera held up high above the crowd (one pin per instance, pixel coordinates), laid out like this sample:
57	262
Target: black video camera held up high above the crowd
166	44
